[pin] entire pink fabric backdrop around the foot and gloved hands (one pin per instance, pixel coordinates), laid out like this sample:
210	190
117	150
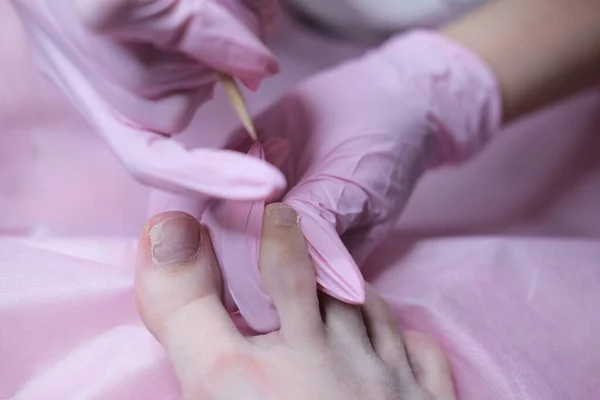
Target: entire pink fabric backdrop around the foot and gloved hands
512	300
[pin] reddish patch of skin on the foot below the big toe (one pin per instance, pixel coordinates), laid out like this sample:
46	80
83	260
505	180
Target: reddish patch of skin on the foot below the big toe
244	372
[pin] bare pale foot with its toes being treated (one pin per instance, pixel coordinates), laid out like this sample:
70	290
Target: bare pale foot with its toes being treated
324	350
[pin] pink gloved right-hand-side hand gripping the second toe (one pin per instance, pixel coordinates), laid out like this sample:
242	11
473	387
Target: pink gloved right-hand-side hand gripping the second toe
352	142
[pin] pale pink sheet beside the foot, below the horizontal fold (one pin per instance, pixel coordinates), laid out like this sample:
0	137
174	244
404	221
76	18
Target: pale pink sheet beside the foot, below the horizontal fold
516	323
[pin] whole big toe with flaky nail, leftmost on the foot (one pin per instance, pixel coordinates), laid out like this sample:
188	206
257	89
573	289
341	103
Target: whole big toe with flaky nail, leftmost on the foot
178	292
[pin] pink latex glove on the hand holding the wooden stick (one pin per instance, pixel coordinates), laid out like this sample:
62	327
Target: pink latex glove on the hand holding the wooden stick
135	68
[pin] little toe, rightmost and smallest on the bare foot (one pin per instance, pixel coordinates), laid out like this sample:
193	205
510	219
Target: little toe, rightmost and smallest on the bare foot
430	366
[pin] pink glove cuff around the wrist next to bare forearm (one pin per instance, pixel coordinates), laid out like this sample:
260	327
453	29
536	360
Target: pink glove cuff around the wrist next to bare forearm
464	106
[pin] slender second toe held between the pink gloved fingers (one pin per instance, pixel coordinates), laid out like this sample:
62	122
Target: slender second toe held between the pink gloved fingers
288	274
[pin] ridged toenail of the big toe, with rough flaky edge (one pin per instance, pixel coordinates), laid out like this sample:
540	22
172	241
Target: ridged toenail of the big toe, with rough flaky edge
175	240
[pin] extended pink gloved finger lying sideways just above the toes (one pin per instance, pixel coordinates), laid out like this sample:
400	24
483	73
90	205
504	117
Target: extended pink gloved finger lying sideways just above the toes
164	163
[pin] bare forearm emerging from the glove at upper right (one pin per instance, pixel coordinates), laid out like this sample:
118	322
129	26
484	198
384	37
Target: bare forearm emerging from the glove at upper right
540	50
